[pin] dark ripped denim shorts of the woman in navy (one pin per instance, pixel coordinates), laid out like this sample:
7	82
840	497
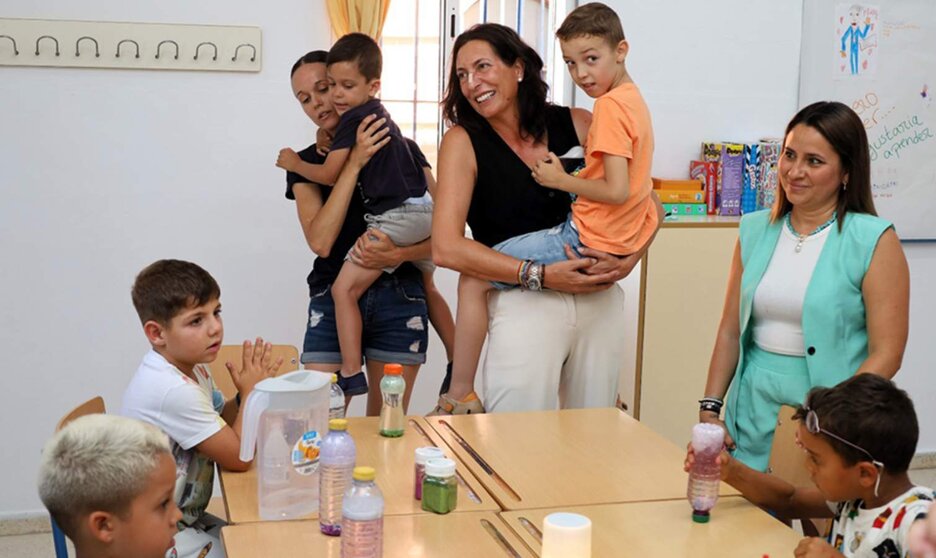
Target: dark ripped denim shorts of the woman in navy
395	318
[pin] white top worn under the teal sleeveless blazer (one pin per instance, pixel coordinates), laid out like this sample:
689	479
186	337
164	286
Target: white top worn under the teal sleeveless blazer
777	312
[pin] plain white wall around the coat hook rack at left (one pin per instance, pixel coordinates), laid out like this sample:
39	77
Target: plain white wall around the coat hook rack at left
104	171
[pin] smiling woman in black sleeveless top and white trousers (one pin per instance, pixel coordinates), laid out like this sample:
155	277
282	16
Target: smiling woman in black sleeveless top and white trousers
557	347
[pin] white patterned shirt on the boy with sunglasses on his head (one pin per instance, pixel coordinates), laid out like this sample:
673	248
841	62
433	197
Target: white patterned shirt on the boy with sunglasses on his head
880	531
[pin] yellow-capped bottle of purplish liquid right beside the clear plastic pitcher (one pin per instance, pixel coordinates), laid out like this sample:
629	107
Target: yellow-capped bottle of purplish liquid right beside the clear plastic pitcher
336	466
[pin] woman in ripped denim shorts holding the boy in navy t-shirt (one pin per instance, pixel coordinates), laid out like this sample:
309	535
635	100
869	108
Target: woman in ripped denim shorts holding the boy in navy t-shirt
332	220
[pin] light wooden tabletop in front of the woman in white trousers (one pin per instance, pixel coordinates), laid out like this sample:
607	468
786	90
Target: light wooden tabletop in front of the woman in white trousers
567	458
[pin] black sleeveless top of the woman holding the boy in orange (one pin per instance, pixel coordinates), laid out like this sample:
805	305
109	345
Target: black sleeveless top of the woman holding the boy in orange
507	202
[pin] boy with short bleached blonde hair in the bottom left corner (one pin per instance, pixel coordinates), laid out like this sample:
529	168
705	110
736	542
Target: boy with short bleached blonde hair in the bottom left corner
108	482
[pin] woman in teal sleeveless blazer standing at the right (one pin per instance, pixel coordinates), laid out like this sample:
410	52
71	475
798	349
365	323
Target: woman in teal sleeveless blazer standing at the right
818	290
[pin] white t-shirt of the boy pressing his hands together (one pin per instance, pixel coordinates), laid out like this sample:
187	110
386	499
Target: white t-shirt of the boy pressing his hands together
189	413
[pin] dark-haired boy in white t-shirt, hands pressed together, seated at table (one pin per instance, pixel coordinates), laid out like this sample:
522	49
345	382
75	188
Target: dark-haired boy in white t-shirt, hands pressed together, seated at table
179	306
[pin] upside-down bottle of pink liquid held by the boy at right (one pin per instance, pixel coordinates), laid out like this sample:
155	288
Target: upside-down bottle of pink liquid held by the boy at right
708	440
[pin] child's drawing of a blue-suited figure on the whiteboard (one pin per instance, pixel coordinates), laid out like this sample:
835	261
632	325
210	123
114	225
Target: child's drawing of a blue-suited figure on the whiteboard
856	40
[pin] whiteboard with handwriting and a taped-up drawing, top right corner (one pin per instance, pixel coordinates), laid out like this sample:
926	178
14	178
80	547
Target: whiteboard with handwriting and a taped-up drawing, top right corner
880	59
